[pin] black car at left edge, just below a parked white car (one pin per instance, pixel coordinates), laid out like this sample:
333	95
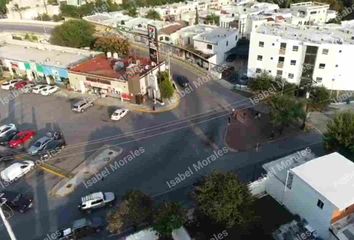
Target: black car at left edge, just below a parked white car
16	201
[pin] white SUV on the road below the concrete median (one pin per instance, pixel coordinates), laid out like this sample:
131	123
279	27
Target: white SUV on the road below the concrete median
96	200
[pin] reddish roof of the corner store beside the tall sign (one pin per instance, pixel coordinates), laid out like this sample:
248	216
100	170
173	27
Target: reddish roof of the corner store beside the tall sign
120	69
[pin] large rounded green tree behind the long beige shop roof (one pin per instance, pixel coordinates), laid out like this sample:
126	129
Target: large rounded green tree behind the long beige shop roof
73	33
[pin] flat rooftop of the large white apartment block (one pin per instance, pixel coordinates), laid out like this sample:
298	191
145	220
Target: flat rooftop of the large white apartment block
310	34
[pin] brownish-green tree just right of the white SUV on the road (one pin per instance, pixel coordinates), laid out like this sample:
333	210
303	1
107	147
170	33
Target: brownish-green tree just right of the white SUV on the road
135	208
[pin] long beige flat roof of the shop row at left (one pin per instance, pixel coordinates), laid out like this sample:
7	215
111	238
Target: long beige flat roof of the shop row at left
43	55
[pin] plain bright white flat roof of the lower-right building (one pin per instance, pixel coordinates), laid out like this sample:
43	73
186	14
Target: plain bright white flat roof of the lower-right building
332	176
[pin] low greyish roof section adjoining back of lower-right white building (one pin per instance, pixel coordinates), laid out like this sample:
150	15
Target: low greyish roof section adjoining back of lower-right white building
279	168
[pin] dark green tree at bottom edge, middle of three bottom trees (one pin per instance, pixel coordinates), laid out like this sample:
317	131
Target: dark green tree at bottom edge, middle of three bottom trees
168	217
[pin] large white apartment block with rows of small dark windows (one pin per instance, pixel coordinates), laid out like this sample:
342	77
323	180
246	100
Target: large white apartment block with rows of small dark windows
321	54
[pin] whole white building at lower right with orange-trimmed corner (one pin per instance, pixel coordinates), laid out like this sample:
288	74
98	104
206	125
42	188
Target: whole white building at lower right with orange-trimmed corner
318	190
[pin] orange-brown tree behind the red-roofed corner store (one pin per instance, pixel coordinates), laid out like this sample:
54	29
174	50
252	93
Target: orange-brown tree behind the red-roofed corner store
112	44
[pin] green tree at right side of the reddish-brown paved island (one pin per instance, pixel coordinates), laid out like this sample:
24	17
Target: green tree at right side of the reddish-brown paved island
286	110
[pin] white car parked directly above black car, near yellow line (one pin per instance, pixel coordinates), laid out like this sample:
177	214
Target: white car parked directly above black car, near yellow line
16	170
